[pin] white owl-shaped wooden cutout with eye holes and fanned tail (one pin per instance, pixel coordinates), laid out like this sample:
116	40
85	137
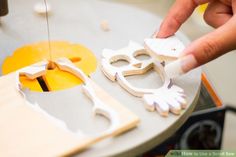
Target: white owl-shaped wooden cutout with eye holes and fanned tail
168	97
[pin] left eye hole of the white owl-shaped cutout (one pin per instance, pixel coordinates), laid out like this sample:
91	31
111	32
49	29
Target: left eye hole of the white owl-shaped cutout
120	61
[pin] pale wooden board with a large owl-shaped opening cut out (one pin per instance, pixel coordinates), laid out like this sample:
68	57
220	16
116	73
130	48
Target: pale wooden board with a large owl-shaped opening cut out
28	130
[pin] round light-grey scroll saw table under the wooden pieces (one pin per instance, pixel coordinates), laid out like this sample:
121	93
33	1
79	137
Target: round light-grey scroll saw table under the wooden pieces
78	21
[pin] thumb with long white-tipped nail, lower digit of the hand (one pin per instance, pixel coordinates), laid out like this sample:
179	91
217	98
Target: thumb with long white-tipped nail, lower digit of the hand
205	49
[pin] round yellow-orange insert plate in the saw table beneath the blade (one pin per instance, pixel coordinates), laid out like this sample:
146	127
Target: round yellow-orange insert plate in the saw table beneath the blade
54	79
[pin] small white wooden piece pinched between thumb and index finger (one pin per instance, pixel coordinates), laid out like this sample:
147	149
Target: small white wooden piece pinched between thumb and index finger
164	48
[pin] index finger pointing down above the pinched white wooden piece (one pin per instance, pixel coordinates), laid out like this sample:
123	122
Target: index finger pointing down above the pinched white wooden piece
178	14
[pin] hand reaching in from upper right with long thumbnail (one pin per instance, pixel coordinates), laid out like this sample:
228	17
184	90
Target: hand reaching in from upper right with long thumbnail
220	14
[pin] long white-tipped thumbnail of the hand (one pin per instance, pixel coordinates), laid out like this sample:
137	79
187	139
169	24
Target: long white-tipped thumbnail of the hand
180	66
